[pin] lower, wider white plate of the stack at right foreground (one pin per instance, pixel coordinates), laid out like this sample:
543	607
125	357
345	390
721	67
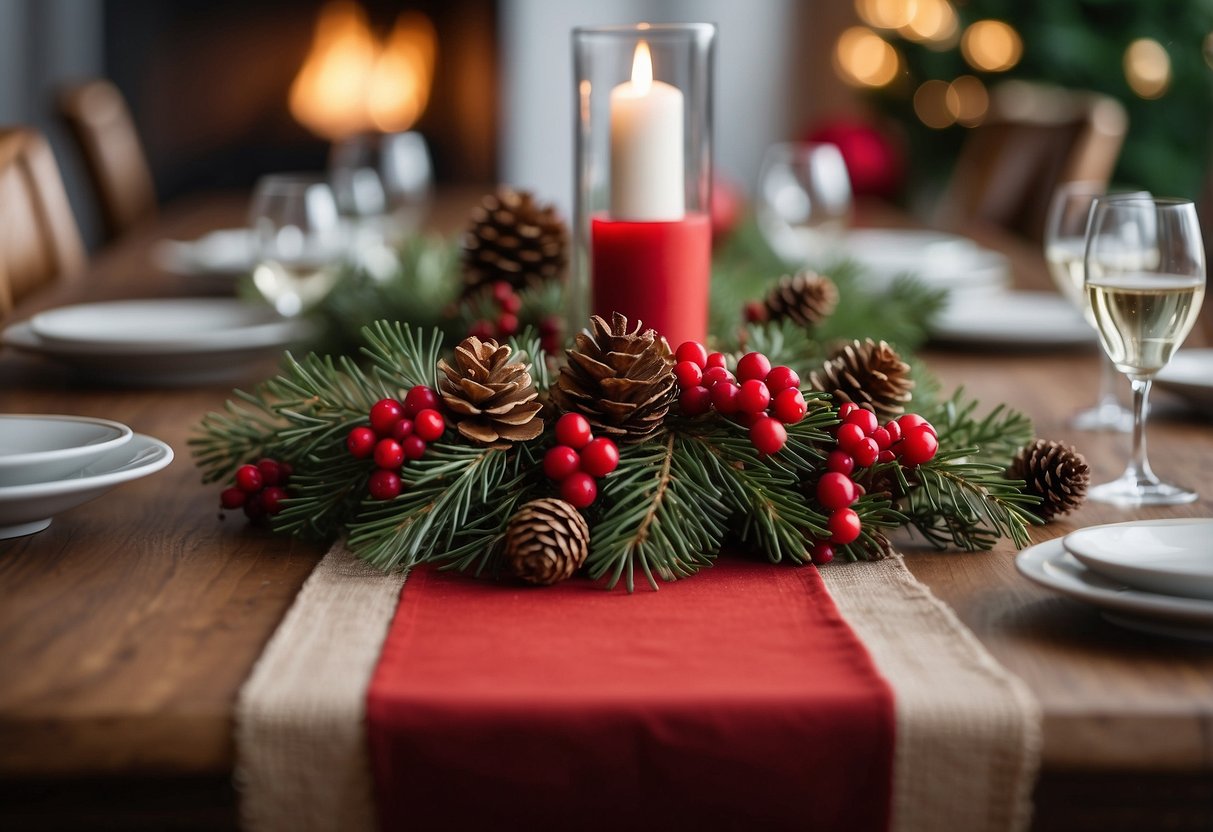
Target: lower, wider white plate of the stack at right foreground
1052	567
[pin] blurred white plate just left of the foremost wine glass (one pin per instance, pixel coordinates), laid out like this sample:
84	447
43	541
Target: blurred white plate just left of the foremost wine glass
1012	320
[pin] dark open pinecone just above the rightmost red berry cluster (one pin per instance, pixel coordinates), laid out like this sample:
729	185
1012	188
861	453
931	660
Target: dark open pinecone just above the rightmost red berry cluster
870	374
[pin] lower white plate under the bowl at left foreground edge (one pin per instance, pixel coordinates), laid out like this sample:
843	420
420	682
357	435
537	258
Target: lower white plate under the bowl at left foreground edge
30	509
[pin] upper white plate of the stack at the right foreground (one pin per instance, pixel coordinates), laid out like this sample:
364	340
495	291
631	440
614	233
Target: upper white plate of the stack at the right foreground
1172	557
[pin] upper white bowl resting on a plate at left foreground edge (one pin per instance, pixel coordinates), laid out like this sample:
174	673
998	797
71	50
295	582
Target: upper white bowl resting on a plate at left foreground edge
37	448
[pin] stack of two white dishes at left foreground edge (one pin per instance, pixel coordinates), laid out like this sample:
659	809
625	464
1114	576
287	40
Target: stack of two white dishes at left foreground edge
53	464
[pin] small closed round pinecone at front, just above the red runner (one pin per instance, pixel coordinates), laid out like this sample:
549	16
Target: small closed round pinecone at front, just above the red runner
546	542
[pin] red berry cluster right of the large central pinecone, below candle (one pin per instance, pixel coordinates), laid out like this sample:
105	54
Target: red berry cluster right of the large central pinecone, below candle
762	397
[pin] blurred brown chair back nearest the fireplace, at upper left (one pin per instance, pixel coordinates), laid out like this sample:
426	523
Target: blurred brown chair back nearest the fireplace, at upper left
99	119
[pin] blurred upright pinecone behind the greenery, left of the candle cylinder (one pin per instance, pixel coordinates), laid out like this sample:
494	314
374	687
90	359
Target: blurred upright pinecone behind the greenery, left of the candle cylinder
516	240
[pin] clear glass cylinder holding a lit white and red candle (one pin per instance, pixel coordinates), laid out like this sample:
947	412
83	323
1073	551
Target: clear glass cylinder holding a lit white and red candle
643	176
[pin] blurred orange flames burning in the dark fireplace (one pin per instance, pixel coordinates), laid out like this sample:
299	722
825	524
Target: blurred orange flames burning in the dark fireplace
352	83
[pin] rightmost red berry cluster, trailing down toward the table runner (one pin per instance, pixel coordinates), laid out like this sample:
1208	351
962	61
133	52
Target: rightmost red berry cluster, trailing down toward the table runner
863	442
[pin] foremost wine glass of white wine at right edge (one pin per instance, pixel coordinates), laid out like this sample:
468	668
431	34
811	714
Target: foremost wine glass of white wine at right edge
1146	283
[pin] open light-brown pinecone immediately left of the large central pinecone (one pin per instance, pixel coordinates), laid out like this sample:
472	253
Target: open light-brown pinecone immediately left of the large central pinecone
492	400
